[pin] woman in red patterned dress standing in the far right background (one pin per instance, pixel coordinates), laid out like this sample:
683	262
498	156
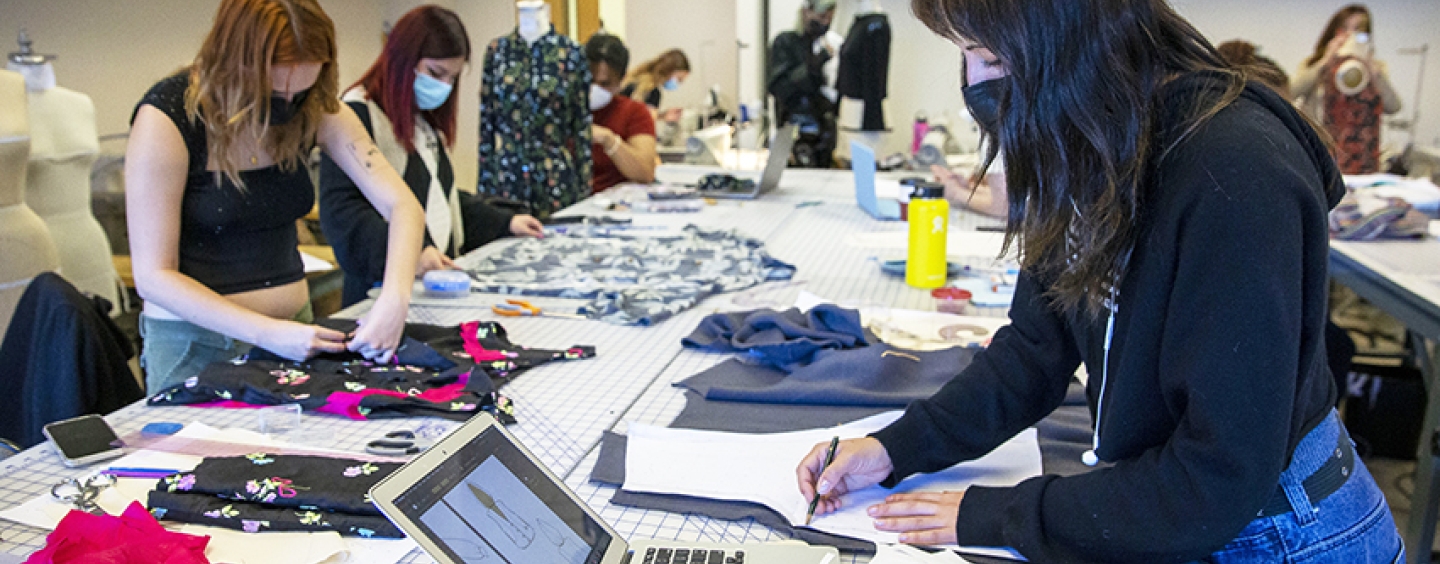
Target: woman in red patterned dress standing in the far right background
1349	100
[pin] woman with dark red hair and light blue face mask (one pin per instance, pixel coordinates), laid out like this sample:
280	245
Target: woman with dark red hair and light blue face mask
407	106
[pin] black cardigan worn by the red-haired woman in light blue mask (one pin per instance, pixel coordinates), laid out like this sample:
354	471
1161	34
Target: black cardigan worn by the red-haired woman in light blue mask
361	235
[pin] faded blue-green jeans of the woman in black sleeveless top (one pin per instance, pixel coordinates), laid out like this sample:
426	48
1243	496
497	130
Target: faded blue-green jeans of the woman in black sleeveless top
176	350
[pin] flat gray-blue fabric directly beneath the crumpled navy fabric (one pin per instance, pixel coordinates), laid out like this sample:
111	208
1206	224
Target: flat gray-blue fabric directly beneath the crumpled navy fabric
878	376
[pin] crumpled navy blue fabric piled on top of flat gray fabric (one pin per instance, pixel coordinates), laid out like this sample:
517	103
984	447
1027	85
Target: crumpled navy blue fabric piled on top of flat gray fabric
786	340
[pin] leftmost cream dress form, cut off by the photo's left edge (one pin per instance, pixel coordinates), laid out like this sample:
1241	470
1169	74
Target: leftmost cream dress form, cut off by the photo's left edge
25	242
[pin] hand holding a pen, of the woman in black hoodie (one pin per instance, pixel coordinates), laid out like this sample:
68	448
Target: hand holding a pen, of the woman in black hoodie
859	464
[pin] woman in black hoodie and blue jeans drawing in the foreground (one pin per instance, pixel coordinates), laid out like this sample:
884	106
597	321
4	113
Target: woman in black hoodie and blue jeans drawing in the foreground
1171	224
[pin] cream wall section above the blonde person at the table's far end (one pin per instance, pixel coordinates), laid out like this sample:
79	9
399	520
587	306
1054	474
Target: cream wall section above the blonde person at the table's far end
703	29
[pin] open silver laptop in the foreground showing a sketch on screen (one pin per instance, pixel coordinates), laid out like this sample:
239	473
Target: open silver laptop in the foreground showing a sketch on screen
482	497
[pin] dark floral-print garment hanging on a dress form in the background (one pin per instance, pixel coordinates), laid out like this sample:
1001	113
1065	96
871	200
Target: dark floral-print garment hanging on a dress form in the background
535	123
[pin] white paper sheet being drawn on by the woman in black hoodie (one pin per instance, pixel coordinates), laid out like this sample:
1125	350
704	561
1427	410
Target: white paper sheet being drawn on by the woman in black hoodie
761	468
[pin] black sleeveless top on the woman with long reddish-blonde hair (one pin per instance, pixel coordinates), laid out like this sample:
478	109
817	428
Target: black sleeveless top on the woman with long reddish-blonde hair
234	241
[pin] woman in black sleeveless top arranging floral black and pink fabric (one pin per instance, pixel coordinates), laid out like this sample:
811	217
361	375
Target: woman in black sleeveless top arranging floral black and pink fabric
217	181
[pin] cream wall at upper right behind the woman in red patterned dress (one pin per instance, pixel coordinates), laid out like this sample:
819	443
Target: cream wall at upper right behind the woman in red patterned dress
1288	31
